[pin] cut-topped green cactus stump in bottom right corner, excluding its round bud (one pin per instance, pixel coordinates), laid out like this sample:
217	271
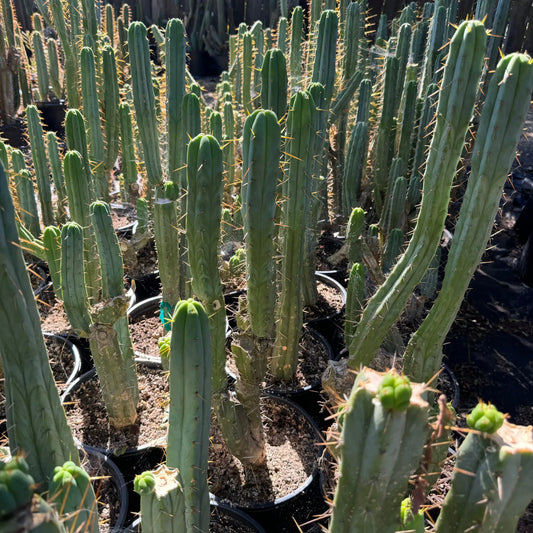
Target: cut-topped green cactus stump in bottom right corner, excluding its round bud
491	486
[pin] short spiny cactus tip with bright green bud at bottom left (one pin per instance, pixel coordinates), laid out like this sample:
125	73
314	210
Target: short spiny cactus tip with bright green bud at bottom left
72	493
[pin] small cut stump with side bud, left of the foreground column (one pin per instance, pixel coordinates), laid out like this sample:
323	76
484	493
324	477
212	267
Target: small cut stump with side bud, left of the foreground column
162	501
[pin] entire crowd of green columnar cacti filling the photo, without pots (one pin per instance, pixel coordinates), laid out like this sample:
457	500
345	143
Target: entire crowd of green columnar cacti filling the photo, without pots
310	129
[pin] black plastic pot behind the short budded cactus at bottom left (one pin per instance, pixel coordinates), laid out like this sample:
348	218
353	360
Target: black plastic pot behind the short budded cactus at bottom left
104	470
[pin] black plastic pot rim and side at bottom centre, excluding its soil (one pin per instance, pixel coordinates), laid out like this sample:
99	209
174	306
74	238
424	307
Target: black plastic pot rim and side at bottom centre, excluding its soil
303	504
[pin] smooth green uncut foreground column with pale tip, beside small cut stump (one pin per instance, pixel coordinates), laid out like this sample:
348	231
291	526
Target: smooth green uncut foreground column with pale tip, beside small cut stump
190	408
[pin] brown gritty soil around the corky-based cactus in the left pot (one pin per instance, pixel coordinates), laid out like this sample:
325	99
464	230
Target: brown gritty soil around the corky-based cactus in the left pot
88	418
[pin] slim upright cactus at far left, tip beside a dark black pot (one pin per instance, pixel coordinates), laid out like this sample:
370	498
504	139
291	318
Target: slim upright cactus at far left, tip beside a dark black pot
38	152
